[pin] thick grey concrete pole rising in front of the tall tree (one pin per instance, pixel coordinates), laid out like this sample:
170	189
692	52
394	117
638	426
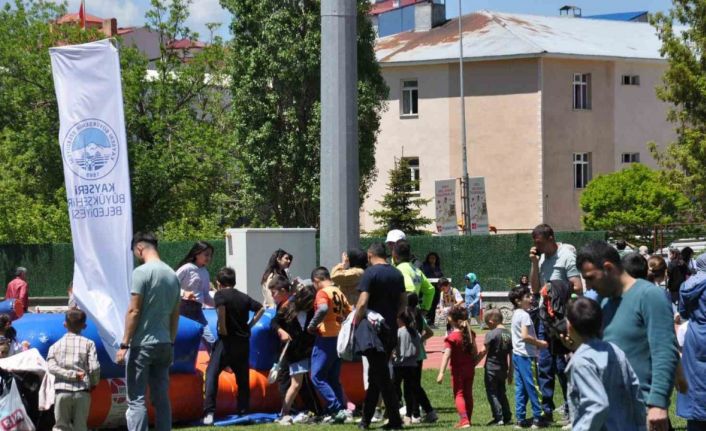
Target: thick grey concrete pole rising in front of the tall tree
339	219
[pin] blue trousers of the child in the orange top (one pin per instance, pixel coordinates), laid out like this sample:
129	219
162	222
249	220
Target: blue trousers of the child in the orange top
325	373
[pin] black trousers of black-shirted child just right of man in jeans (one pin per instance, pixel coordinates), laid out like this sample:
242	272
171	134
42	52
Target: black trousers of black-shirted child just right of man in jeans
233	353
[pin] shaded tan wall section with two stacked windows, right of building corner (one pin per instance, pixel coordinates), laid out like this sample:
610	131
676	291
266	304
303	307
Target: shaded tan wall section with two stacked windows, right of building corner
567	131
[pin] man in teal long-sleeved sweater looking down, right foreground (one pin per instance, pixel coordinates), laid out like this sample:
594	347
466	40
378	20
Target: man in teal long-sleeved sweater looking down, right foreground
637	317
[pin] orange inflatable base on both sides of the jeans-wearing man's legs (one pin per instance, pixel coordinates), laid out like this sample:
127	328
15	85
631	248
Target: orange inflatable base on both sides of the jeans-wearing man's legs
109	401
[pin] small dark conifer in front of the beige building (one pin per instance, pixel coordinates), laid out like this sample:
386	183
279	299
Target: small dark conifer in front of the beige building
400	208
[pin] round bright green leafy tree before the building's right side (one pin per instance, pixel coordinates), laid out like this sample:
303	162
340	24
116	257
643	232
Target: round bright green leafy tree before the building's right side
630	202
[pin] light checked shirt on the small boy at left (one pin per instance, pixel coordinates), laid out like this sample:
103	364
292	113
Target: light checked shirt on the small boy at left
69	356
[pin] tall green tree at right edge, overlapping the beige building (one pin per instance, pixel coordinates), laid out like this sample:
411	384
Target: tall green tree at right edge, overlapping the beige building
684	87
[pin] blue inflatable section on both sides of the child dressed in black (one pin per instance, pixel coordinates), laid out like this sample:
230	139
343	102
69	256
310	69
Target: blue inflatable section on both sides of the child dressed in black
264	343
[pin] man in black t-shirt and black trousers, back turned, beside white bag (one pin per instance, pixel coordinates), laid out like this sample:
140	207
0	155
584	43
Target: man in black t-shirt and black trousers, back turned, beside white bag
381	290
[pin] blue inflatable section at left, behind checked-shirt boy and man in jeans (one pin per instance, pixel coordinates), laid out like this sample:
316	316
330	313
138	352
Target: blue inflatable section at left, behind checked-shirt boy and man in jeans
43	330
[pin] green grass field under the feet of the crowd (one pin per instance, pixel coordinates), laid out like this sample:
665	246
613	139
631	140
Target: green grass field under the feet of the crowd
442	400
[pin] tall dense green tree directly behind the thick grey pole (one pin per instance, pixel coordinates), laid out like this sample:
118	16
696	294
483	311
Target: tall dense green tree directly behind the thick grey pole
275	83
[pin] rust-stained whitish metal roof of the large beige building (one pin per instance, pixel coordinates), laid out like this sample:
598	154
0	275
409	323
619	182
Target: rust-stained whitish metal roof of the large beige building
488	35
